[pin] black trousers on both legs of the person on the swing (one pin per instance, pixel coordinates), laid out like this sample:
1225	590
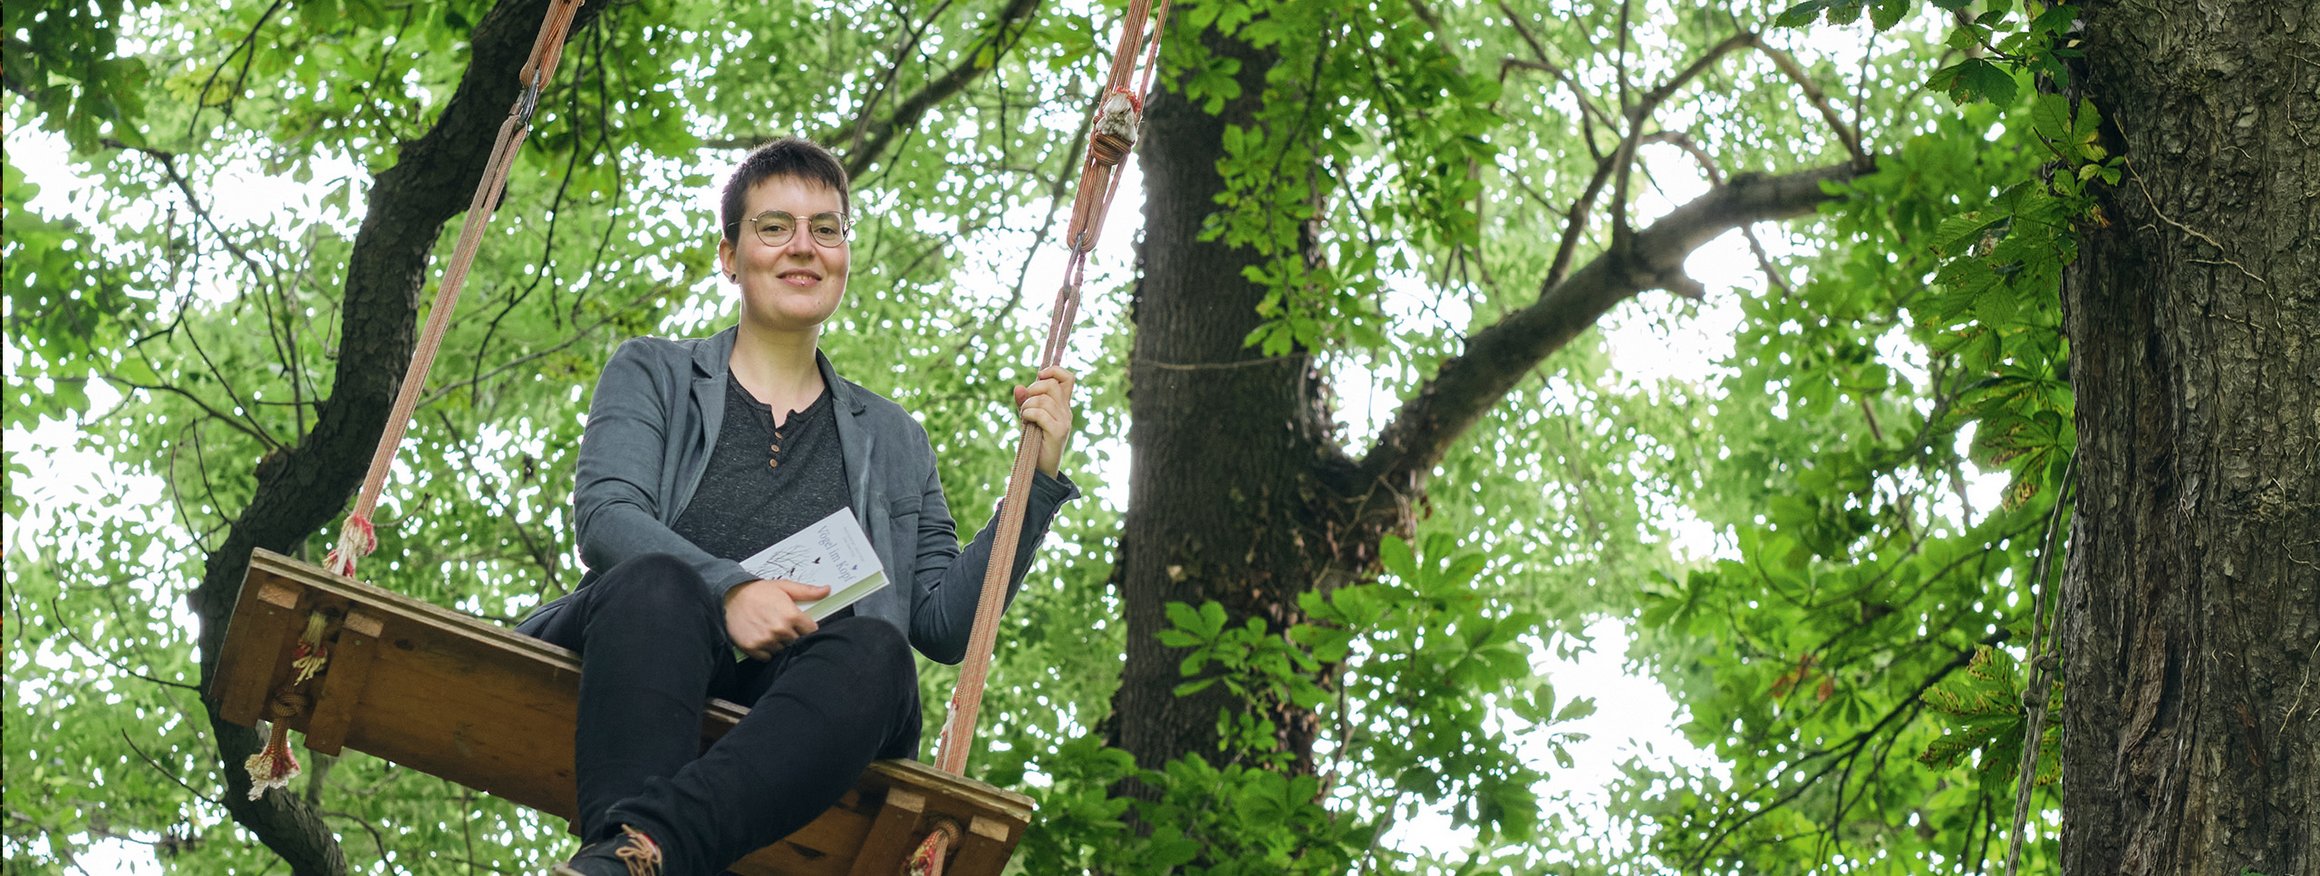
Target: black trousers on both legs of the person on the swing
653	650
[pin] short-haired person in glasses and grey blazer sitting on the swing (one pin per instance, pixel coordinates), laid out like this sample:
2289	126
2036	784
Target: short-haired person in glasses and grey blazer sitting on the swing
702	453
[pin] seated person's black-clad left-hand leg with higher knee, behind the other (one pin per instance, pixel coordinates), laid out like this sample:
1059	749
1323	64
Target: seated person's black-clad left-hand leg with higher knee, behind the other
651	645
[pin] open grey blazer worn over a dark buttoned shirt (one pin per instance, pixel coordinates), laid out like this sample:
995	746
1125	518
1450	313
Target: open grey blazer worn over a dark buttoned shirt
648	441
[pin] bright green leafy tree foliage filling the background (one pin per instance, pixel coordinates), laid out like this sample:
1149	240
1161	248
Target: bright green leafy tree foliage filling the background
1843	638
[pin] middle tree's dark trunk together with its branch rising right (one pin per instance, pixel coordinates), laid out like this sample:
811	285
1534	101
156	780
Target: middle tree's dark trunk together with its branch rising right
1242	492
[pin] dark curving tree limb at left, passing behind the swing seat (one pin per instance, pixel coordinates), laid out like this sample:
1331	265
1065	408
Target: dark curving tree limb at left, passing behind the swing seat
303	488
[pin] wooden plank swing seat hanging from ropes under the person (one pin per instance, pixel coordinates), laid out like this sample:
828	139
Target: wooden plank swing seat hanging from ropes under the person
493	710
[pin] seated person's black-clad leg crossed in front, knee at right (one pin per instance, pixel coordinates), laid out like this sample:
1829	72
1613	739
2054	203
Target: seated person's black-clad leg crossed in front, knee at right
829	706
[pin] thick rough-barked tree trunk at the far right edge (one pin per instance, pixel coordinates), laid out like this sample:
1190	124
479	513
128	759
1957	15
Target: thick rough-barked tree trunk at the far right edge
2194	583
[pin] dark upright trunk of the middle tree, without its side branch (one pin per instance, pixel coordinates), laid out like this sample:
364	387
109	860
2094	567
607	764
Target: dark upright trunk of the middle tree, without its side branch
1226	441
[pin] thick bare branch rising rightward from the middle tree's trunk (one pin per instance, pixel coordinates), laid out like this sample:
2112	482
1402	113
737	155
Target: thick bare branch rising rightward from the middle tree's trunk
1500	356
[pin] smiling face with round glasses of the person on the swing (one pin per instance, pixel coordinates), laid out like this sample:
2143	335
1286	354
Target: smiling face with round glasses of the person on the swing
792	286
